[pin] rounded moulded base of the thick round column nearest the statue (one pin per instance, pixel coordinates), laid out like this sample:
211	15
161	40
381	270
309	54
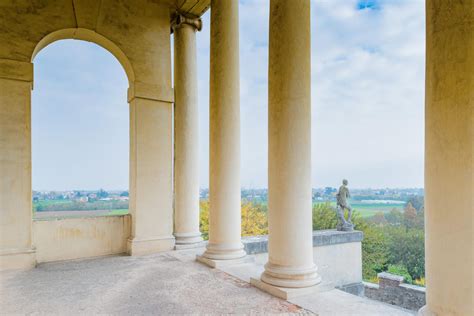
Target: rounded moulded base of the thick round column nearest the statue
290	277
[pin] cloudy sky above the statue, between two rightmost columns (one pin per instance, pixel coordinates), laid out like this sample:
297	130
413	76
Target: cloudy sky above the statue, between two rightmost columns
367	88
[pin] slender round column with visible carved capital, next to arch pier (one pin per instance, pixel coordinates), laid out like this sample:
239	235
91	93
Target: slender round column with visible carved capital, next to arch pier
186	140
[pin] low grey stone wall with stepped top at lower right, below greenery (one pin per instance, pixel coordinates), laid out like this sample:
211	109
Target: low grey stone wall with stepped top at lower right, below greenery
392	290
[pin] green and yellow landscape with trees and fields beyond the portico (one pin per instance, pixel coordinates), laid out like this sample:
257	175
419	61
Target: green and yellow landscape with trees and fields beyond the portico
392	220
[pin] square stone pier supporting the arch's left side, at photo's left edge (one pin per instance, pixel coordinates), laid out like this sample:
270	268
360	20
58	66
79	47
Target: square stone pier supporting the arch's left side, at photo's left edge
16	251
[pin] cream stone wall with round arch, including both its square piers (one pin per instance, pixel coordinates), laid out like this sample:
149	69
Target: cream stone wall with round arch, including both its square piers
138	36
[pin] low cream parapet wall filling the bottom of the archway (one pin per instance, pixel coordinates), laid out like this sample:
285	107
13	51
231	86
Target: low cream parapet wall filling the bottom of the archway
75	238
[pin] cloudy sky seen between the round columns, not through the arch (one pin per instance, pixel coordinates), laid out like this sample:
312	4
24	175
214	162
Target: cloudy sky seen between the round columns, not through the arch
367	93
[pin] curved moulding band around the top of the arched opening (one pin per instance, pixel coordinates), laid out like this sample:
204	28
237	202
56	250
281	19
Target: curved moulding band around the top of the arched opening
89	36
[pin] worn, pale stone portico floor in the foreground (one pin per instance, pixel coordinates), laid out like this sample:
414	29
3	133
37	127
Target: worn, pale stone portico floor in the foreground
166	283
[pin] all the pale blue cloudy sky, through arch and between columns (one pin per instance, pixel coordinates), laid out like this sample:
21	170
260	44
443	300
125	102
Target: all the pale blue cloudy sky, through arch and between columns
367	100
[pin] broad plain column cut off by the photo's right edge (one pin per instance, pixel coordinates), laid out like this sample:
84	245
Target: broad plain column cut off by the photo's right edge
449	158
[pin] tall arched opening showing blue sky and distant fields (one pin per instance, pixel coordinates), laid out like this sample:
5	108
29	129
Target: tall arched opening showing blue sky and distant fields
80	132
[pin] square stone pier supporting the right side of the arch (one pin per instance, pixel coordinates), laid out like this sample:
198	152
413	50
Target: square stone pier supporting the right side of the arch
151	163
